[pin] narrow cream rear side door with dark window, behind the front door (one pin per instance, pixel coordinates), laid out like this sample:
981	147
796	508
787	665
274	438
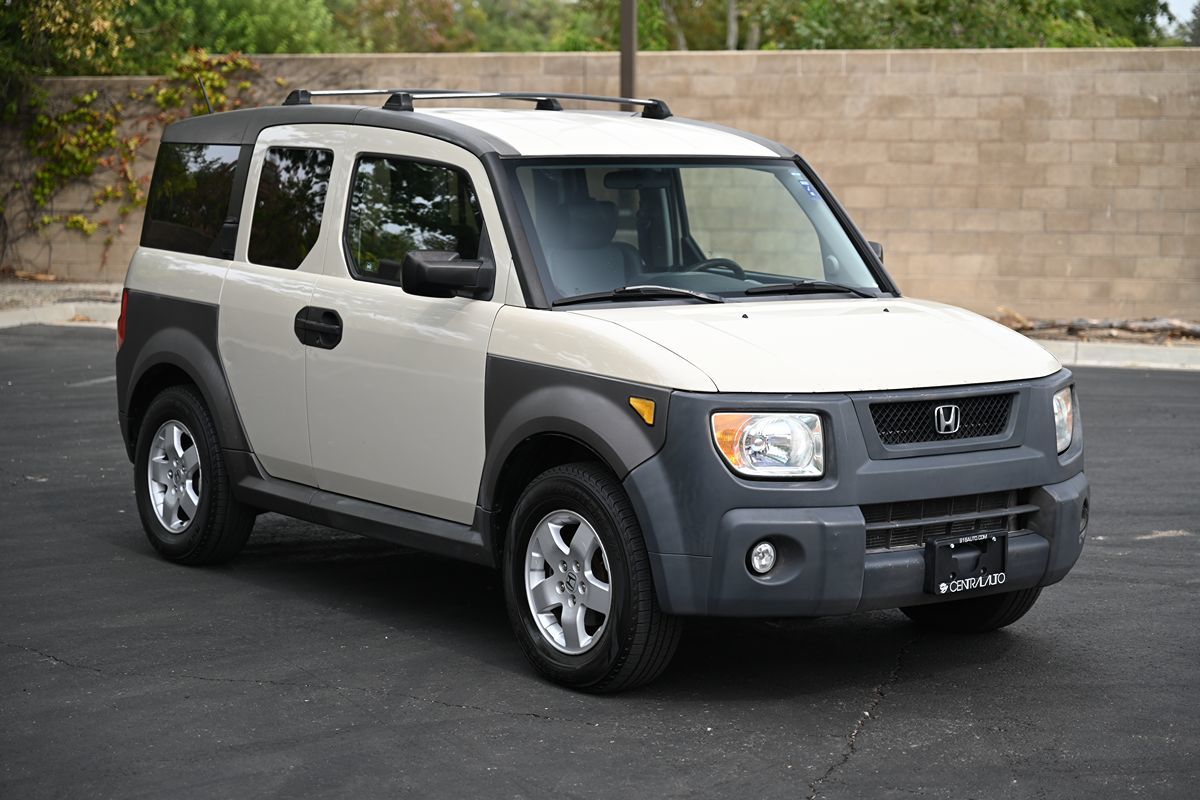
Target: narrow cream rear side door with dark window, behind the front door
280	251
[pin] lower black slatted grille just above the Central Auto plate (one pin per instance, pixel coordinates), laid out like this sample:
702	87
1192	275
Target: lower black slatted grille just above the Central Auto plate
909	524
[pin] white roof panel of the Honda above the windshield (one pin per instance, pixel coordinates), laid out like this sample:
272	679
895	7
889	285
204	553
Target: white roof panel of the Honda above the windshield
597	134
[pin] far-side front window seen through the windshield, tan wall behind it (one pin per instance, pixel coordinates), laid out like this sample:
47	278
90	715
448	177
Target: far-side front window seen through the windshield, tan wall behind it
749	215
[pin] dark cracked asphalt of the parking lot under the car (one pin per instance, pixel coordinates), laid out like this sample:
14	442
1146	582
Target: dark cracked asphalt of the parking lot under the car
326	665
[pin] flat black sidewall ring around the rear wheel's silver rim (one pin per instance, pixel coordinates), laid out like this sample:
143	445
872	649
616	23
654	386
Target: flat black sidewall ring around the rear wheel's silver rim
179	406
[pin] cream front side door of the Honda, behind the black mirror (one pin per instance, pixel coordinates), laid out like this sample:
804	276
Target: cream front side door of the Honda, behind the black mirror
397	407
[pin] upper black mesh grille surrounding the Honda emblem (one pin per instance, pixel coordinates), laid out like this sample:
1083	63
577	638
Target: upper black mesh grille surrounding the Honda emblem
913	422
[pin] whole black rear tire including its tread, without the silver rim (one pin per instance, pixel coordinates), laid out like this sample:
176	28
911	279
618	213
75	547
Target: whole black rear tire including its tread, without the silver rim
221	525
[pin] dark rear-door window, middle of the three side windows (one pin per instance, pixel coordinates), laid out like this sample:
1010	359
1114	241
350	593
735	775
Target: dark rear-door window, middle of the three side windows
289	207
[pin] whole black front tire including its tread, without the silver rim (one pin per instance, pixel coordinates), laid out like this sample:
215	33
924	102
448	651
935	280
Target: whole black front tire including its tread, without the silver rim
639	640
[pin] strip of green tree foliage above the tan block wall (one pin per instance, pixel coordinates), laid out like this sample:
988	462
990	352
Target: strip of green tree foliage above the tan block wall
142	37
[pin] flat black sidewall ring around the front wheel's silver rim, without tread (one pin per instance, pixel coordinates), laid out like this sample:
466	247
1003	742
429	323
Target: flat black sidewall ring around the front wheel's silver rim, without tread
554	494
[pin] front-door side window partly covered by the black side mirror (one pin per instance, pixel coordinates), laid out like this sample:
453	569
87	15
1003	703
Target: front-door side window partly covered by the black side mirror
400	206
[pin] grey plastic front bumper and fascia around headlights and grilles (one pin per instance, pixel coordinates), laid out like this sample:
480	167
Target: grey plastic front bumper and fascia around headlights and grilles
700	520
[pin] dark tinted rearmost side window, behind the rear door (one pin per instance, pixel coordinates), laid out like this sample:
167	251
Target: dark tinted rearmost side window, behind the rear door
190	197
